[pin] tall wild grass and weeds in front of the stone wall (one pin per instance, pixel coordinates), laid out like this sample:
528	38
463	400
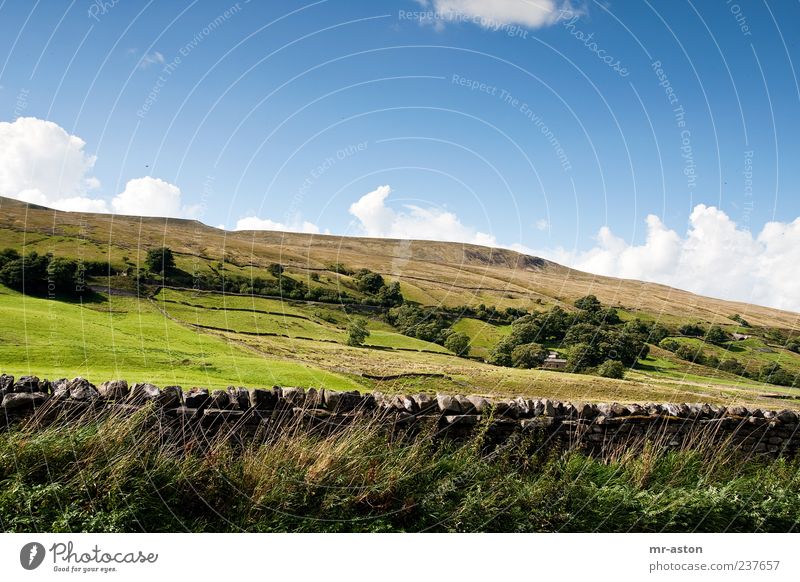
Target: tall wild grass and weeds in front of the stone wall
124	473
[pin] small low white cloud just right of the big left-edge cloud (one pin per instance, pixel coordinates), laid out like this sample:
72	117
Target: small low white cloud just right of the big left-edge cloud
152	197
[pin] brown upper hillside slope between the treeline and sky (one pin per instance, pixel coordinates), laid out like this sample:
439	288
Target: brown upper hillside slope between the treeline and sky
431	272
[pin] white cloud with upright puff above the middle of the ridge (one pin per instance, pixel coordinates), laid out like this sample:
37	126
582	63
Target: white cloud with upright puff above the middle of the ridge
376	219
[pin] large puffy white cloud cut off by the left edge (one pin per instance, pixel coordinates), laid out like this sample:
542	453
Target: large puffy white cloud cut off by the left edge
41	163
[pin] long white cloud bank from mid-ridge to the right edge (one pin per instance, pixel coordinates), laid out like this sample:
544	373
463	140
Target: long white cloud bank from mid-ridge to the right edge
714	257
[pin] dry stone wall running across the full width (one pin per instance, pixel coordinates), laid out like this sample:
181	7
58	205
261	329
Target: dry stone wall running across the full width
597	428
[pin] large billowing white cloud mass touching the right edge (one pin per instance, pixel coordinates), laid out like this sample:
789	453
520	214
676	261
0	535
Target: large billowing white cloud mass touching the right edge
715	257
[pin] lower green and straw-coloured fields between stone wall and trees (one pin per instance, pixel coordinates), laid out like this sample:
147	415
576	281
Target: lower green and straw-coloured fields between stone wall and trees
130	337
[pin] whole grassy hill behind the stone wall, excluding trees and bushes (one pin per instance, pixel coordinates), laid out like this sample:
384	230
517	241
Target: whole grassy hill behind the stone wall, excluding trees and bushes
205	338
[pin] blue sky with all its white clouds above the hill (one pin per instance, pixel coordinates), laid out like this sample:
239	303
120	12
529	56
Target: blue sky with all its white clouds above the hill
653	140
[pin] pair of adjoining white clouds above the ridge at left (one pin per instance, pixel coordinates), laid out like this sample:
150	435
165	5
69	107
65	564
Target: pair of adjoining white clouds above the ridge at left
41	163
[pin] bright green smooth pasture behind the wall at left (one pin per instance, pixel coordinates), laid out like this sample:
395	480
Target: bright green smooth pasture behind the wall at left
128	337
